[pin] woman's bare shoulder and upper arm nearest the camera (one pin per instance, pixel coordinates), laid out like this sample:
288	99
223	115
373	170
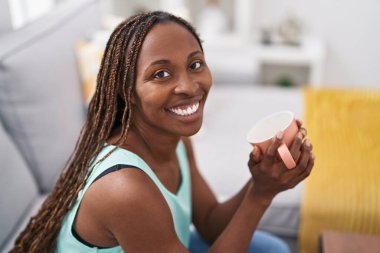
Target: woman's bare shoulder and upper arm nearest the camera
138	216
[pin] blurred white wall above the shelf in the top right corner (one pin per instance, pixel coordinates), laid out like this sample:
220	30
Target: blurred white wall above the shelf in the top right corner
350	28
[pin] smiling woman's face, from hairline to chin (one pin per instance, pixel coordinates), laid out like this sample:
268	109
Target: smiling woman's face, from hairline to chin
172	82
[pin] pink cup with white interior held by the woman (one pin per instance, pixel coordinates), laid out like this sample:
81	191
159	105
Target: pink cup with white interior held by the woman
263	131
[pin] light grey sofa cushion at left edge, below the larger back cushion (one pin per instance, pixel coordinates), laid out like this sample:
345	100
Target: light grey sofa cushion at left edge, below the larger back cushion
18	188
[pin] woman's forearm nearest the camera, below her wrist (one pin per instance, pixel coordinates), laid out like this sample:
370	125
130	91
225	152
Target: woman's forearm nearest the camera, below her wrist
237	235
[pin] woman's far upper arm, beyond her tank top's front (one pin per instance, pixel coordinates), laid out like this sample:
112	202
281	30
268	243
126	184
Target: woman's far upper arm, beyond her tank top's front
204	200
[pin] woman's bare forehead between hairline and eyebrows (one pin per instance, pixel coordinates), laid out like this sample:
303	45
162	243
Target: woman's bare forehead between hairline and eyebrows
166	39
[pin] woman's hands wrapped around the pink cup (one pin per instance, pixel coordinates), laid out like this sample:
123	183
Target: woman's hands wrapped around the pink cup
270	175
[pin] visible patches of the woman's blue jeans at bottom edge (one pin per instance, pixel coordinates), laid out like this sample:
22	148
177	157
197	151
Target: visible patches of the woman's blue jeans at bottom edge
262	242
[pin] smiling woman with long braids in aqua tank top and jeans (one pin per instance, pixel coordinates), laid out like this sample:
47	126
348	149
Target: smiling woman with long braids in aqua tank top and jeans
132	183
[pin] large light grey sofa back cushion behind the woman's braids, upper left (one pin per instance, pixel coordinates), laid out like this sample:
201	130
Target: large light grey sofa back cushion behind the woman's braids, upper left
40	94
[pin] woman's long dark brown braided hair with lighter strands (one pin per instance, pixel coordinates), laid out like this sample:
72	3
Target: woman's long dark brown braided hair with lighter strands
109	108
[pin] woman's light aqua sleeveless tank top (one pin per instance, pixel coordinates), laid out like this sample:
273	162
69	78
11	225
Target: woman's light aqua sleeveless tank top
179	203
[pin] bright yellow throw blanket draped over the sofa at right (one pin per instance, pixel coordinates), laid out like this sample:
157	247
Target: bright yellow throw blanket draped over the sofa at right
343	191
